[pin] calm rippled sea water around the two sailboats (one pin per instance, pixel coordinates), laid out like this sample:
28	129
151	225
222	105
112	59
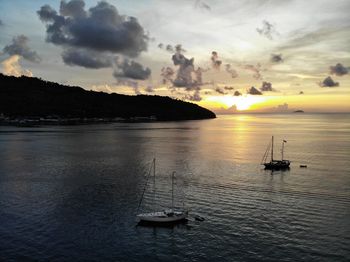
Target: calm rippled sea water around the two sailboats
71	193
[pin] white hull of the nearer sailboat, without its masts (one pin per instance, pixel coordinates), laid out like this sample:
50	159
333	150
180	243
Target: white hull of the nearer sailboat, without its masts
163	216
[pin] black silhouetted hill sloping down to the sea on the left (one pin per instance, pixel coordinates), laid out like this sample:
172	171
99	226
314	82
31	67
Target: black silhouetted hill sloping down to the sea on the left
28	97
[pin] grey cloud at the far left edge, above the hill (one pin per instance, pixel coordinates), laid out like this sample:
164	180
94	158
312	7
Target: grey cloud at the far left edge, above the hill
19	46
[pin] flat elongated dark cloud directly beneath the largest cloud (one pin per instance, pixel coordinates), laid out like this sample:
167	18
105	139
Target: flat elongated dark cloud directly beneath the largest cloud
87	59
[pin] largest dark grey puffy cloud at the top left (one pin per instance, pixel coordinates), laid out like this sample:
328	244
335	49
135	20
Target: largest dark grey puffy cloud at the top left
101	28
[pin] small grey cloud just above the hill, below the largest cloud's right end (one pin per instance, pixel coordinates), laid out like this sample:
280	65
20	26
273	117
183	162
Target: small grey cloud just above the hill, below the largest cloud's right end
131	69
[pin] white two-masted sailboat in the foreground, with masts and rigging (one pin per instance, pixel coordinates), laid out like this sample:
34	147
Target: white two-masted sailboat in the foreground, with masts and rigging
166	216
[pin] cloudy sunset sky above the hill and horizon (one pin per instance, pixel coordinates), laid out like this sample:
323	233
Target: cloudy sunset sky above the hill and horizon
228	56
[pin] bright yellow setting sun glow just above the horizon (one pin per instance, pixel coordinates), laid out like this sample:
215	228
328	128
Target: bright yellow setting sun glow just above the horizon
242	103
